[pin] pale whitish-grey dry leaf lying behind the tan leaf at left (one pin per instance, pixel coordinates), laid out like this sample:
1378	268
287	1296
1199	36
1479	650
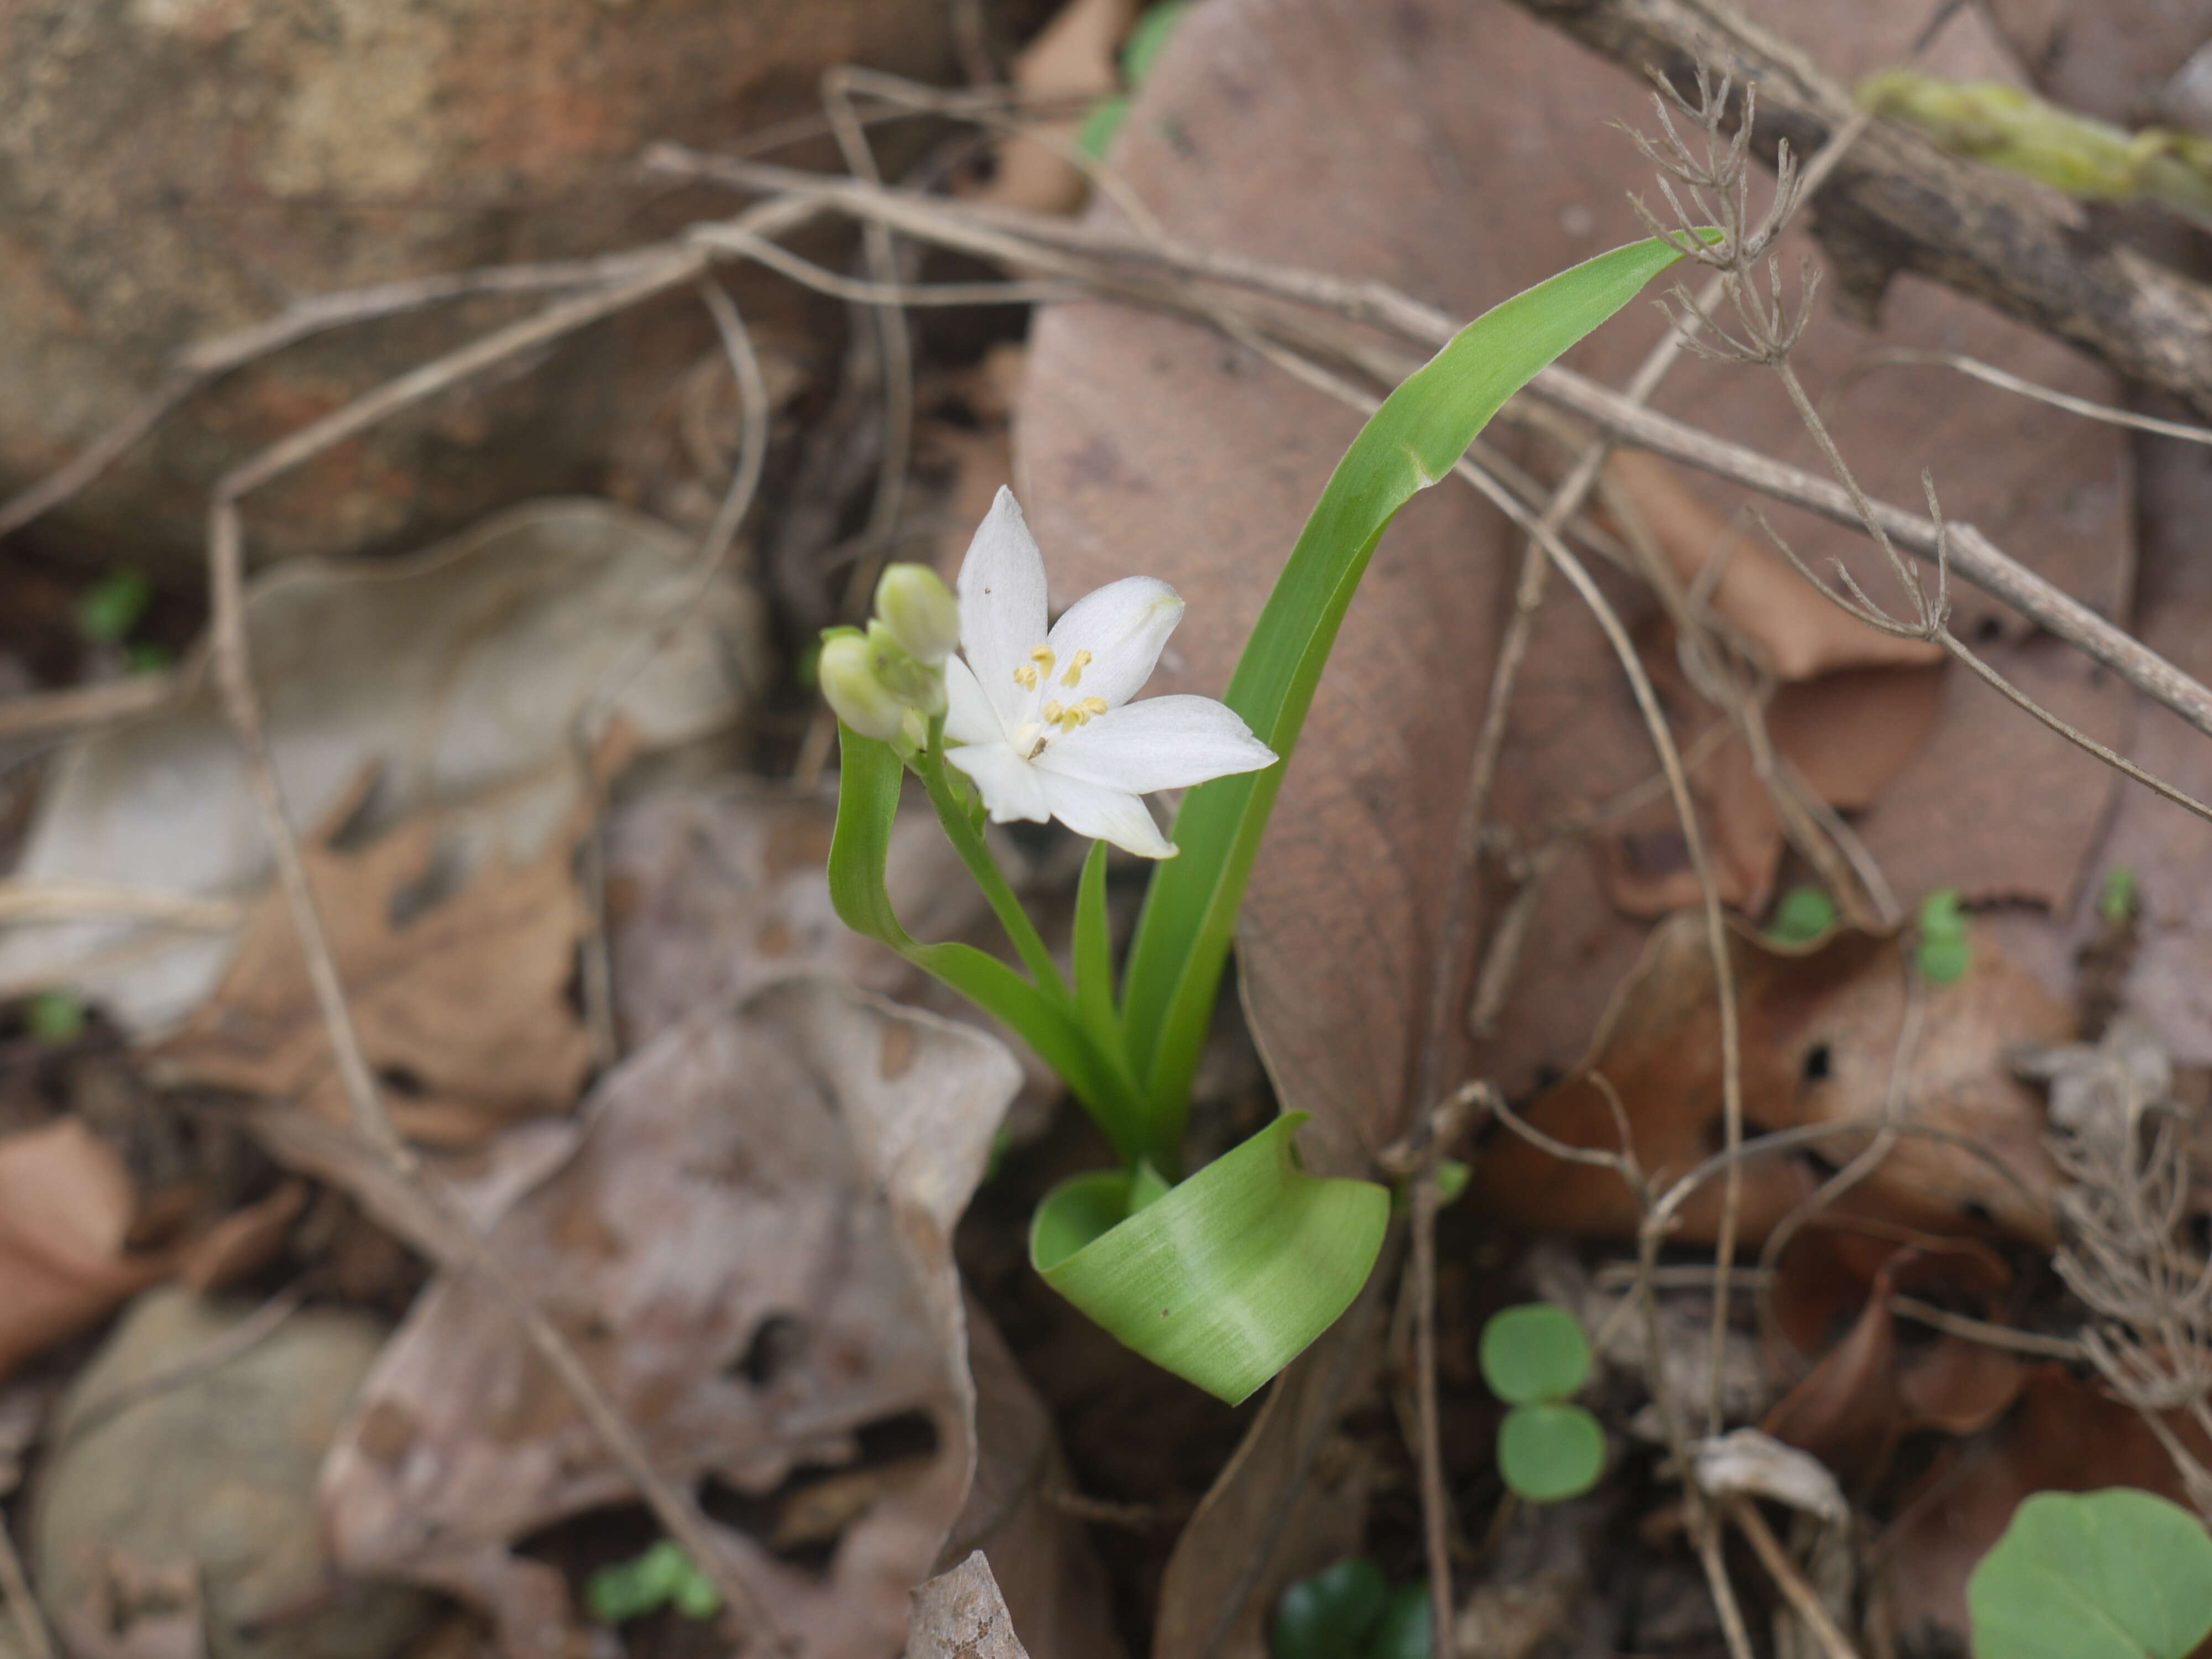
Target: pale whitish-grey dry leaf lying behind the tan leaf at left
448	676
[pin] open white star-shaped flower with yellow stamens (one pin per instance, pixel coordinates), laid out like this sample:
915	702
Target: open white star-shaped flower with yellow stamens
1043	720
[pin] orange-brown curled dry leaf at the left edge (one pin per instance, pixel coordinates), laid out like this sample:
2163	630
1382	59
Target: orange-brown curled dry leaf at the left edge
67	1260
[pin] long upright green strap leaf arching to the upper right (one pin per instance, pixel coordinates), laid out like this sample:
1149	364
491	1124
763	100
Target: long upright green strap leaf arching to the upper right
1410	444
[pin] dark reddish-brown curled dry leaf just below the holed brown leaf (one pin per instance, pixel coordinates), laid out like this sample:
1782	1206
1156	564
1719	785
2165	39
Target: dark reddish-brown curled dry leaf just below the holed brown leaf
1872	1390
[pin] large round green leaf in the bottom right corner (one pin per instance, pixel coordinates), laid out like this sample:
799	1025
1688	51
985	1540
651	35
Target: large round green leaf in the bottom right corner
2094	1576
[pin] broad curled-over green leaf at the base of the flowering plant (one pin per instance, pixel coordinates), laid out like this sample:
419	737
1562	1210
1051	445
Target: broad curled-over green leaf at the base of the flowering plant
1224	1277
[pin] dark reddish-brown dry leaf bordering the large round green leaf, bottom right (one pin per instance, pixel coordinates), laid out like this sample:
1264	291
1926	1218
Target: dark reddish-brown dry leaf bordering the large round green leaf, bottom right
2063	1437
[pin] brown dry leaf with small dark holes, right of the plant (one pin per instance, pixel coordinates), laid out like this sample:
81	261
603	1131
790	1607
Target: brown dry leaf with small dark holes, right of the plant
1819	1039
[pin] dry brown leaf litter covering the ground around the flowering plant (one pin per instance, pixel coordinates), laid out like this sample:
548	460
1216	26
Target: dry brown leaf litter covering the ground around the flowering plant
747	1222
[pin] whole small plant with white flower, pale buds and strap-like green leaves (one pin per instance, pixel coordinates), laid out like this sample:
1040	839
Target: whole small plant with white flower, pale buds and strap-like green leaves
1227	1273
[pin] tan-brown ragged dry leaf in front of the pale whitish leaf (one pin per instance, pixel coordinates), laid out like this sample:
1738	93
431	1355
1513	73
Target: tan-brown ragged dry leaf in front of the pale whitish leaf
461	994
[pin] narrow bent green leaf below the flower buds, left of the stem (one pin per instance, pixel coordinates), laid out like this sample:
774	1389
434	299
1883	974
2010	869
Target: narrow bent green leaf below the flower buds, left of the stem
870	775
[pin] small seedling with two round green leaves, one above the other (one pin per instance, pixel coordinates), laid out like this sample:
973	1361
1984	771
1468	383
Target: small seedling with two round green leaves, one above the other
1536	1359
